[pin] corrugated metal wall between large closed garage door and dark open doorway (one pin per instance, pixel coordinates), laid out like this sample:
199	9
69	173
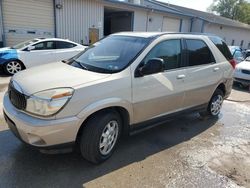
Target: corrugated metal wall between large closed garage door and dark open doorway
75	18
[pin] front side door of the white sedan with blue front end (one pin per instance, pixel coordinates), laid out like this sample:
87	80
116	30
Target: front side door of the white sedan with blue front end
43	52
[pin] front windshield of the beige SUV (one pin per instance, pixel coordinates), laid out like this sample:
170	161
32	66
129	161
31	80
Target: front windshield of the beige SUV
111	54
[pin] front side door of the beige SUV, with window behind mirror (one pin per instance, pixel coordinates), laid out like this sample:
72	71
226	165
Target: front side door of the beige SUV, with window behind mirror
161	93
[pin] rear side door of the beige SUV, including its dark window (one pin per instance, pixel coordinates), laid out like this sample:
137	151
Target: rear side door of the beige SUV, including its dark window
203	73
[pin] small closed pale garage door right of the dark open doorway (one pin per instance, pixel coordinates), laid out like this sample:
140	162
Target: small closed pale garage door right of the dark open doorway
171	24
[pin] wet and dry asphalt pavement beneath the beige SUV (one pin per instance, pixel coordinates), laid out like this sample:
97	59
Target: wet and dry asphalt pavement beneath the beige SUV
185	152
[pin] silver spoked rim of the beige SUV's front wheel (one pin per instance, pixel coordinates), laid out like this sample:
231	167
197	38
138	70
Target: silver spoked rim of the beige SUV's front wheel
108	137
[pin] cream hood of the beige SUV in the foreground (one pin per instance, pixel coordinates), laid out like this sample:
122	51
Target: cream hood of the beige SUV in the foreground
54	75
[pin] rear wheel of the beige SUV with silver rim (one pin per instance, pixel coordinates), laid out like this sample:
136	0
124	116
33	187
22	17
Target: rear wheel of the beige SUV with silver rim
214	105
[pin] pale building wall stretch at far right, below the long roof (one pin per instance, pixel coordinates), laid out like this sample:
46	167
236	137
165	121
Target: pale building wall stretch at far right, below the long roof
229	34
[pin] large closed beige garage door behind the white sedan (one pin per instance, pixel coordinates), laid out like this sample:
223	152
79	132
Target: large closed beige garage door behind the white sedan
27	19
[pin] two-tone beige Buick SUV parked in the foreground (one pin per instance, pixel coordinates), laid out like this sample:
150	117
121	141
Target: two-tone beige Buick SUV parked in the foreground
116	85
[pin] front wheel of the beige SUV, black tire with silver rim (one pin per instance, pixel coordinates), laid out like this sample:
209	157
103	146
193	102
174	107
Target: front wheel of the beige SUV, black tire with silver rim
100	136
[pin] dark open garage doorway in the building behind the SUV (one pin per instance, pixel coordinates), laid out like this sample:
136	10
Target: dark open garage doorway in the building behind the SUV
117	20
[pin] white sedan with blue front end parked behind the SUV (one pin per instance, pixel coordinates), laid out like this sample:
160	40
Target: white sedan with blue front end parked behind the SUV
37	51
